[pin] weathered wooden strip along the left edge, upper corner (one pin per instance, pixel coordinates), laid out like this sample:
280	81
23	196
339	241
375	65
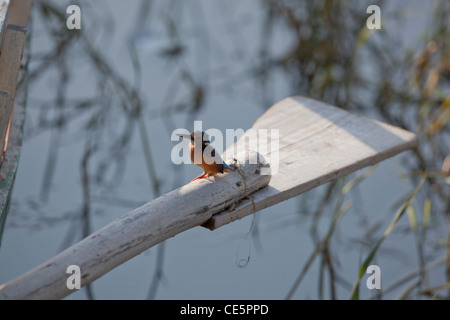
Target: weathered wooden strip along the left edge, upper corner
12	110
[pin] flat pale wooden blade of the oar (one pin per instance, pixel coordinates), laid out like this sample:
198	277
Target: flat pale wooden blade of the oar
317	144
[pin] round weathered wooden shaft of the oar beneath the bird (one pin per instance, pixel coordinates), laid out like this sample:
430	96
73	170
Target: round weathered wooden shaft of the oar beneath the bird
162	218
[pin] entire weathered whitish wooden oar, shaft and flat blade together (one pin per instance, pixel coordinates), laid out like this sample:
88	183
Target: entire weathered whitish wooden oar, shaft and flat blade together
317	143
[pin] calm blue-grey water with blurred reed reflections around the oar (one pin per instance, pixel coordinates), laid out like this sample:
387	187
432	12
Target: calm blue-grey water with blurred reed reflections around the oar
104	100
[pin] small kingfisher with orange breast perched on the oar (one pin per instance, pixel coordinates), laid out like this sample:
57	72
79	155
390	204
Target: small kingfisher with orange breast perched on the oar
207	157
